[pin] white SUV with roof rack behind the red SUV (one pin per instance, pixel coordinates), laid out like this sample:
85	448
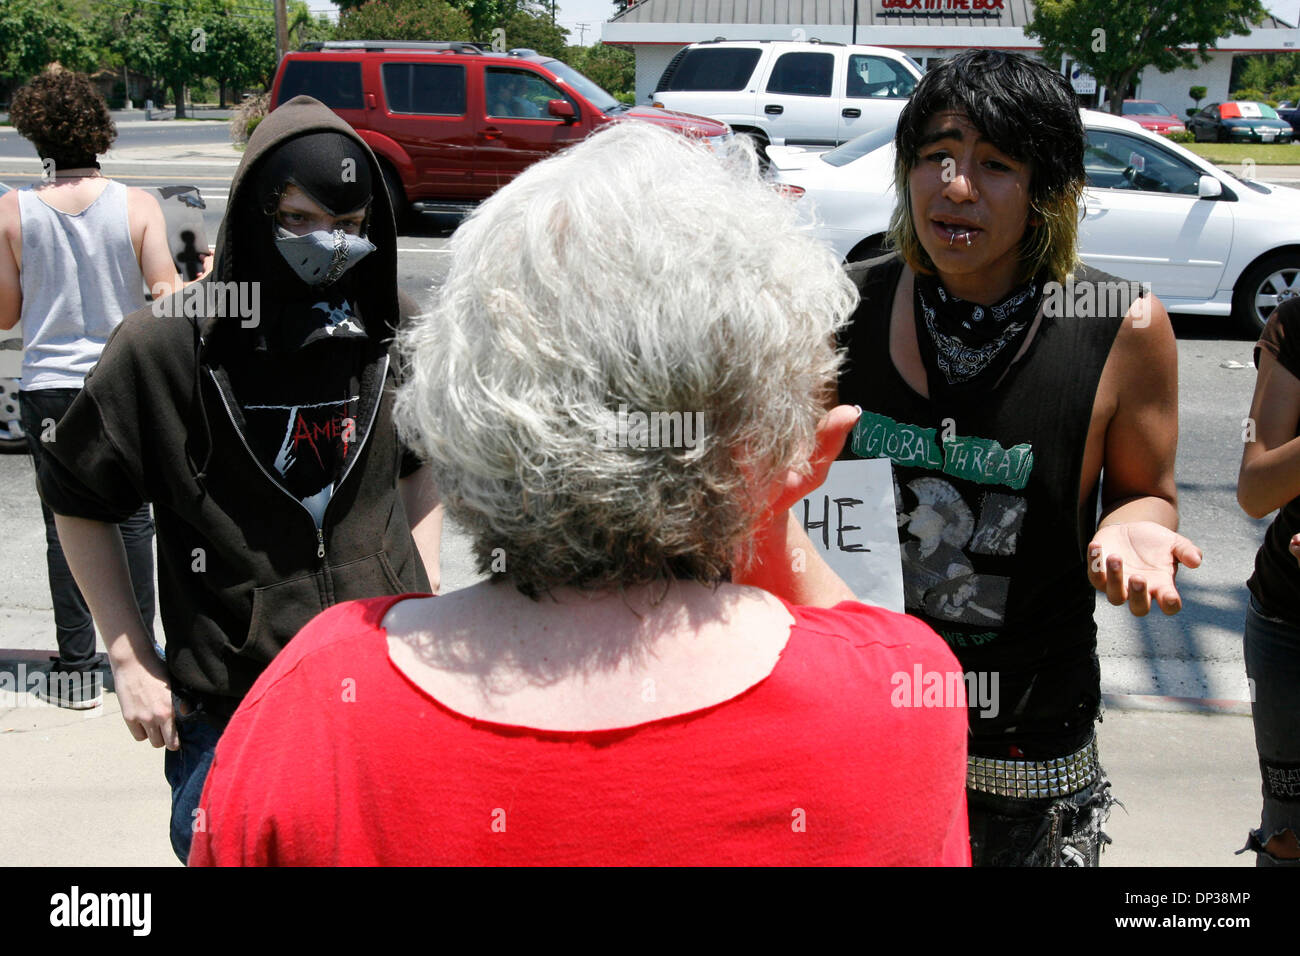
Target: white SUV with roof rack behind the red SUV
790	93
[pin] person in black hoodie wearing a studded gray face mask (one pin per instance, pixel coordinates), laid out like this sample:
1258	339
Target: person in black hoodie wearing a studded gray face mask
254	412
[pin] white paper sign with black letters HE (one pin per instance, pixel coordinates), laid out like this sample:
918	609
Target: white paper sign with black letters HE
853	525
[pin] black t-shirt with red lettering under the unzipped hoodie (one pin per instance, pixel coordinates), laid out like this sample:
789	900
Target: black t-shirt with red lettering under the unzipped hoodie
300	400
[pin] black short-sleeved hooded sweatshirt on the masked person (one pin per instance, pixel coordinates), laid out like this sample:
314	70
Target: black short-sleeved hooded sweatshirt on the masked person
242	563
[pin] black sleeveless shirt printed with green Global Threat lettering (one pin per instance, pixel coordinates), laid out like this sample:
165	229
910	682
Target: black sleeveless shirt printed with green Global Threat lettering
990	524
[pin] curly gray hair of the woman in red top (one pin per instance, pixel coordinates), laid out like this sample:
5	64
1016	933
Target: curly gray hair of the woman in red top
635	271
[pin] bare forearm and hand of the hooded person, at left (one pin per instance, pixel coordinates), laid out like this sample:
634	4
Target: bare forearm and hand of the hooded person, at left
98	561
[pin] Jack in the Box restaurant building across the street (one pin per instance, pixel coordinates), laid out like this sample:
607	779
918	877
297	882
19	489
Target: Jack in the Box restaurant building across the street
926	31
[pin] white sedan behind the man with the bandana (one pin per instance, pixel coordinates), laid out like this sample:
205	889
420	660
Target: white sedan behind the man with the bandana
1210	243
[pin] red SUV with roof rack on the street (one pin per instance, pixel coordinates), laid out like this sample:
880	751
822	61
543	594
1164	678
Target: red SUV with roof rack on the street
452	123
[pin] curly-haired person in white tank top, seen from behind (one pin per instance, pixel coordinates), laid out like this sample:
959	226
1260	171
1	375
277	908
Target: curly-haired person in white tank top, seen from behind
75	254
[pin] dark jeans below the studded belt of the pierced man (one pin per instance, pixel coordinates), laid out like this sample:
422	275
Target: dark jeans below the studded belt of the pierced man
1054	832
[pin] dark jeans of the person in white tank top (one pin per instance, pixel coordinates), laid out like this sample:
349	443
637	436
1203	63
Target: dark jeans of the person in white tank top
73	626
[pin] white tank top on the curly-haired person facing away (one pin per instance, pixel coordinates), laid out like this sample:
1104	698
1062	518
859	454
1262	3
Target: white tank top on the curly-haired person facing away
80	276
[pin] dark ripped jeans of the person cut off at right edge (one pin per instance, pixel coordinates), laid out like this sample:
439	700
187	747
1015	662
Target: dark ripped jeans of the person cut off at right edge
1273	667
